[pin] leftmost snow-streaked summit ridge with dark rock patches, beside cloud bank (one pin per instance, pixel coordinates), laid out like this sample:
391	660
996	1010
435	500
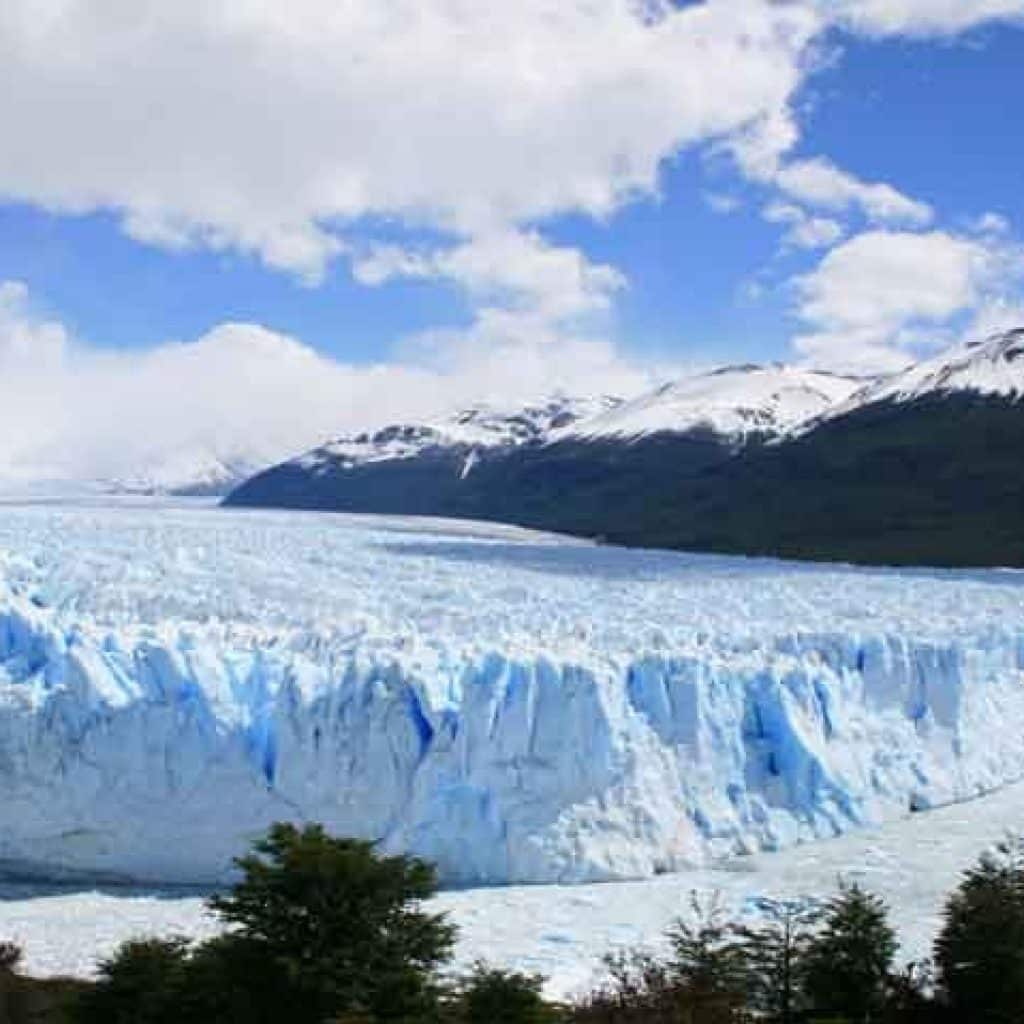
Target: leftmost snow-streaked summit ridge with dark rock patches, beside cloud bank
480	426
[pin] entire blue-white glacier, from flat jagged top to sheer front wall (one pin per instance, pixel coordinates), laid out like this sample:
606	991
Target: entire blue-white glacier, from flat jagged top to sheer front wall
516	707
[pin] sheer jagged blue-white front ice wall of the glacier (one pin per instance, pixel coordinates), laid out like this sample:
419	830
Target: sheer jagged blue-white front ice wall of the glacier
156	755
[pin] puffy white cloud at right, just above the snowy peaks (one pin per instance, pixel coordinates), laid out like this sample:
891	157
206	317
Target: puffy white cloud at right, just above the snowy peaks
883	295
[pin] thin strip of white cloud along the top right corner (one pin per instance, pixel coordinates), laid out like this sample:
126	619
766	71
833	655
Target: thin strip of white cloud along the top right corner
923	18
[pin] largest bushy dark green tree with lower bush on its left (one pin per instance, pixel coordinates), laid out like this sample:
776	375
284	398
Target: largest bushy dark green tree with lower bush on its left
320	929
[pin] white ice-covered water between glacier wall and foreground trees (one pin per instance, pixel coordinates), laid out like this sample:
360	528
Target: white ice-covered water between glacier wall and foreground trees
564	931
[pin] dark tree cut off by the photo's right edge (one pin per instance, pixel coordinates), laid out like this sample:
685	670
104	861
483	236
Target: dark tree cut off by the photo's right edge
980	952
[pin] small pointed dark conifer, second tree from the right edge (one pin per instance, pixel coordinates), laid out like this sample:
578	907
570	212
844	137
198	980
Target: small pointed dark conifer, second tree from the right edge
847	965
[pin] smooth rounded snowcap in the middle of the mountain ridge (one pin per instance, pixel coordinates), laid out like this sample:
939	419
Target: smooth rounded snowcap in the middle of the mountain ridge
734	402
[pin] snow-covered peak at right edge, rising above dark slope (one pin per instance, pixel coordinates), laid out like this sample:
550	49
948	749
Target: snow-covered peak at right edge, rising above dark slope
994	367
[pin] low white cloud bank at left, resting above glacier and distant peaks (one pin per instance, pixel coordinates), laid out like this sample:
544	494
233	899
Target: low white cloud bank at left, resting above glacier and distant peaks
244	394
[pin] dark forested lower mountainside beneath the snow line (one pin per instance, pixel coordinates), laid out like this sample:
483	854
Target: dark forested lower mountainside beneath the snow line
940	482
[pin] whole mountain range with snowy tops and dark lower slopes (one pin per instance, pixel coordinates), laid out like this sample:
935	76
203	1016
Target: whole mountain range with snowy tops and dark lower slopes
924	467
